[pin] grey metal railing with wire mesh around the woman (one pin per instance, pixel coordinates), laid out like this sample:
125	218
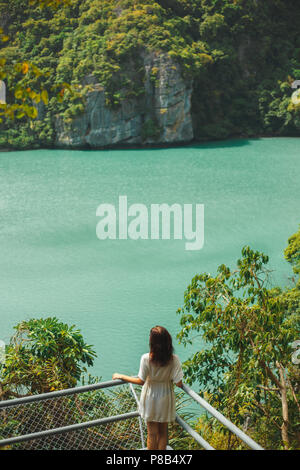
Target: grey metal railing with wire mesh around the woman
88	418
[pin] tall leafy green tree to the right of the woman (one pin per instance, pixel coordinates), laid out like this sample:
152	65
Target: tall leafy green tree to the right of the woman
247	329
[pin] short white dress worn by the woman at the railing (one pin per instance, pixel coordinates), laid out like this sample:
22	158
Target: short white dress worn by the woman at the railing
157	401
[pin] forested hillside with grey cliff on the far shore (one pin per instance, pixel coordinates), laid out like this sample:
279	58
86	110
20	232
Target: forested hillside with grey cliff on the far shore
146	72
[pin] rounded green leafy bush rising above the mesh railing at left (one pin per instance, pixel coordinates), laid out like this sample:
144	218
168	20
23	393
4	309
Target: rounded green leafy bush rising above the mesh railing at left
44	355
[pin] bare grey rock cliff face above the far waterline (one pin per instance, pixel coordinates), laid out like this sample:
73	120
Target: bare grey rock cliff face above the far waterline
161	116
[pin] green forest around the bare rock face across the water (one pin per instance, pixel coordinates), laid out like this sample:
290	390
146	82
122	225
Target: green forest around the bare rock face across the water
242	55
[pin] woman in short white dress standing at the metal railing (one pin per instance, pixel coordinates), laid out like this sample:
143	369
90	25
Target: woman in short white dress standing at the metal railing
159	369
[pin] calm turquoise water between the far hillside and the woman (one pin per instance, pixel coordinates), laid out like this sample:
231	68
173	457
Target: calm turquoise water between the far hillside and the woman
52	263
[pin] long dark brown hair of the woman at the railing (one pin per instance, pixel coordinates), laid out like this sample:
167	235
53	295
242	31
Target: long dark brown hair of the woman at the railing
161	348
